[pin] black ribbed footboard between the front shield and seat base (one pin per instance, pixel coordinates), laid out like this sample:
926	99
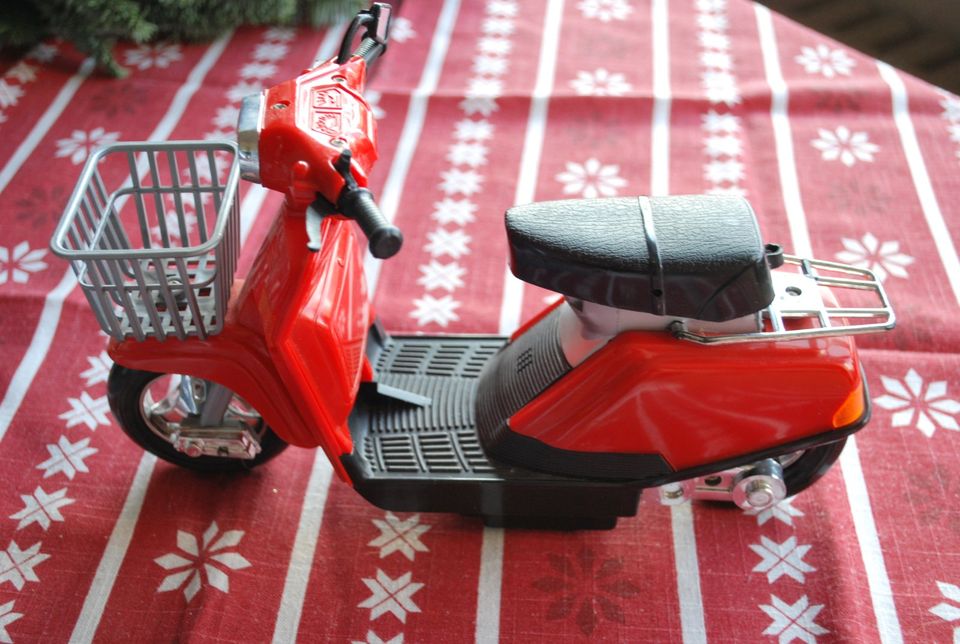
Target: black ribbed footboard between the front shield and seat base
416	446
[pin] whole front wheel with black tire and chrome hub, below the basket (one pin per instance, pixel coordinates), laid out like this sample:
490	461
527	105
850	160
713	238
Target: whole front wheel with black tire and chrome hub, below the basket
169	415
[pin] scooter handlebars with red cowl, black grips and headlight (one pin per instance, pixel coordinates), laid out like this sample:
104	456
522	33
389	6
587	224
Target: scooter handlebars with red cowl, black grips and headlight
338	126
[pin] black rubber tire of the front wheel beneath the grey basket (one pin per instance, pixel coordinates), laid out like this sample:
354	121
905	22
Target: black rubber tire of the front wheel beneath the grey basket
125	388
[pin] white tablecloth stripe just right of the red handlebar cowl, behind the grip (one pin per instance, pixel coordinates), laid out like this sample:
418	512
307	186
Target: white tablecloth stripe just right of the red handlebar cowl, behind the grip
413	127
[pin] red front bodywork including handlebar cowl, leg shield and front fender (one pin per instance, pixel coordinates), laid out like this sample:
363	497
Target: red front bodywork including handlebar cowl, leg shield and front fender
293	341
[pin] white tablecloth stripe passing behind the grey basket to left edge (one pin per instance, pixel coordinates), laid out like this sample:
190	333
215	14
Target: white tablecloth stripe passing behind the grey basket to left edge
53	304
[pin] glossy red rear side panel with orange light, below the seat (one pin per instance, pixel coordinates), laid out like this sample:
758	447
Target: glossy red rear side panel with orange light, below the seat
649	393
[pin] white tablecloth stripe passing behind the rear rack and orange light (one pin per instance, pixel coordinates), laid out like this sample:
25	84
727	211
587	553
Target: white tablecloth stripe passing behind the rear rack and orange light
888	624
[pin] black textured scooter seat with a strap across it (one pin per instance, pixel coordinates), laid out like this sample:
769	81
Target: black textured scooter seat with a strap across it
694	256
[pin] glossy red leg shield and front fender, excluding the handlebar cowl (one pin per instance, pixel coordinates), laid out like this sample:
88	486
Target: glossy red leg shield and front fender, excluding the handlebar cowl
293	341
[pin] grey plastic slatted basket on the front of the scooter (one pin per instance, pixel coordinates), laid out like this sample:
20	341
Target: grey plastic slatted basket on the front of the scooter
155	257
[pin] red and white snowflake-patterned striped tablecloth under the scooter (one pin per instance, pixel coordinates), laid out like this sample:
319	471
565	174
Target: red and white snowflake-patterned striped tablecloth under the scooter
485	104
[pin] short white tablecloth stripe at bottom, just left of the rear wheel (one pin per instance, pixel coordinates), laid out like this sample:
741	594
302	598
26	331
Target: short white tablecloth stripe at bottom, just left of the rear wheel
688	574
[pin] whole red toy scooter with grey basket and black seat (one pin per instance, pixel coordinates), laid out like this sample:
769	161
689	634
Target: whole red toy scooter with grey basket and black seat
686	355
